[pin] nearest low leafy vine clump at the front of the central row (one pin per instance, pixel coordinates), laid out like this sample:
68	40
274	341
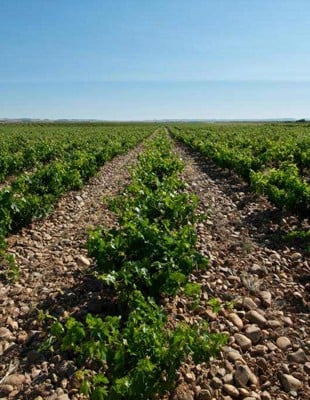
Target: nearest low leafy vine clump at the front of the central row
137	359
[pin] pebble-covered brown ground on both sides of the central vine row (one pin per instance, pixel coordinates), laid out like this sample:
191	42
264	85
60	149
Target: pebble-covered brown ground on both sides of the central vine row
261	282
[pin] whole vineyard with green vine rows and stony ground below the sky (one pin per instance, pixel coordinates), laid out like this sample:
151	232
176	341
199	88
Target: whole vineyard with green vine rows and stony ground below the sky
143	261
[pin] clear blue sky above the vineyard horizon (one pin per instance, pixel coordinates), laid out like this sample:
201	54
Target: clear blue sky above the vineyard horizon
143	59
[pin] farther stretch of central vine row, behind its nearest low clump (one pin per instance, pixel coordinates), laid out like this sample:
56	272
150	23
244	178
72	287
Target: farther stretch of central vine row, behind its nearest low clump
154	248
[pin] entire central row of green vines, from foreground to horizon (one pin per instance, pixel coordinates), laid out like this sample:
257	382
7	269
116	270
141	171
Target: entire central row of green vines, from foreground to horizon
151	253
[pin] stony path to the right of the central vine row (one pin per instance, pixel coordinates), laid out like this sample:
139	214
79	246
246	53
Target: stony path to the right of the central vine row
263	286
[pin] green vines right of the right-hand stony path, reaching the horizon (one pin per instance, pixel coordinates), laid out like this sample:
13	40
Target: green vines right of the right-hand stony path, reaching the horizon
273	158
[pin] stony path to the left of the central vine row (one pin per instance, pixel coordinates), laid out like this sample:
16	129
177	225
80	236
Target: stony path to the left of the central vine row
52	259
